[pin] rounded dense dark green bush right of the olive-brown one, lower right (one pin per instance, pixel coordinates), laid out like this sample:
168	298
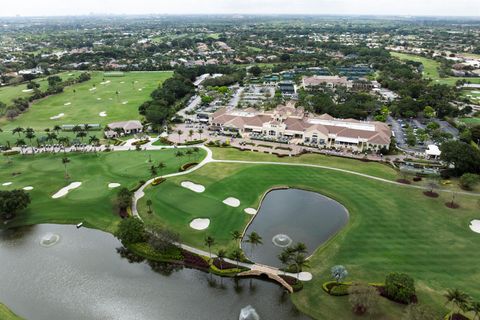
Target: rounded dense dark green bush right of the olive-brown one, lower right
399	287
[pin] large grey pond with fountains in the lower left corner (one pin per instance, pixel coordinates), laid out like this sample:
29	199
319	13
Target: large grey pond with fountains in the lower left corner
78	274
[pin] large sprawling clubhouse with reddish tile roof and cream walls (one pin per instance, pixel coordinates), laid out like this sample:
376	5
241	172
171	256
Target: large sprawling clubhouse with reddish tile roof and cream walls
299	127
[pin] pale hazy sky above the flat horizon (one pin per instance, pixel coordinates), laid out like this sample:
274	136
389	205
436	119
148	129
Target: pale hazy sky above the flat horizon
374	7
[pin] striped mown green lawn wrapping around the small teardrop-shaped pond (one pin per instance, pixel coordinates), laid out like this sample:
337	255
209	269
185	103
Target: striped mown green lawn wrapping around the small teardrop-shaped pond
392	228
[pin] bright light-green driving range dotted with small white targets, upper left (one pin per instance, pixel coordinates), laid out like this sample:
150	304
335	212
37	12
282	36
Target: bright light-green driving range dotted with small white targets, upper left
90	99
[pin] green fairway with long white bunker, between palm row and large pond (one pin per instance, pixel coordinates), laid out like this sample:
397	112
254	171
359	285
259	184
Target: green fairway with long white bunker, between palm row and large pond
93	200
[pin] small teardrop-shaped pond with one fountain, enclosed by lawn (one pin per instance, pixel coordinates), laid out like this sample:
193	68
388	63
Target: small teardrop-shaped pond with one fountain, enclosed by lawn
289	216
